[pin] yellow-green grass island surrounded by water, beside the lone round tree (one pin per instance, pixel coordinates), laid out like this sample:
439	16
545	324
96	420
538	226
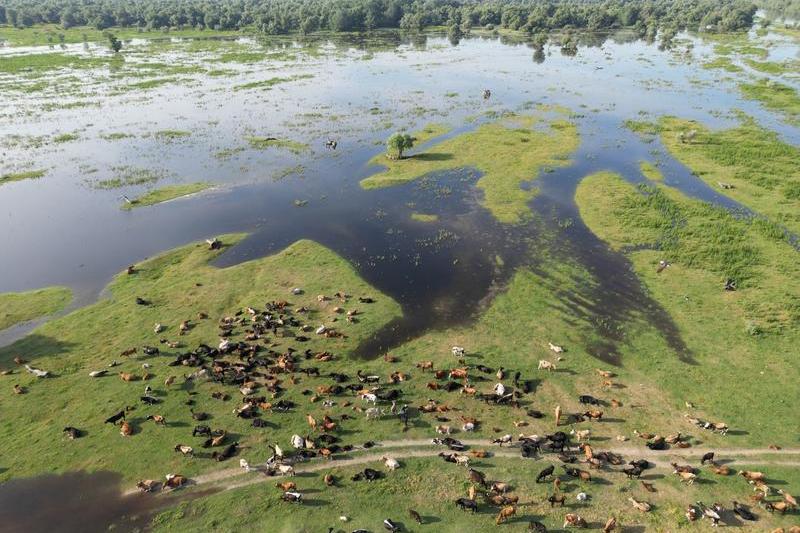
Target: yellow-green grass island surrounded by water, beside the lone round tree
508	152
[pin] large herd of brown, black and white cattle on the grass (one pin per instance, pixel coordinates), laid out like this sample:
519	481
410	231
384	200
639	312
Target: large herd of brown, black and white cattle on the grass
254	370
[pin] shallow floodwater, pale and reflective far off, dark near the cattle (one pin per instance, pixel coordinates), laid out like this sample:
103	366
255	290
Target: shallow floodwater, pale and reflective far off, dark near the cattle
62	230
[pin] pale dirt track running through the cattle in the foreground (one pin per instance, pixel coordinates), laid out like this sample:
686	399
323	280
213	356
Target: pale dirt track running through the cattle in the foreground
405	449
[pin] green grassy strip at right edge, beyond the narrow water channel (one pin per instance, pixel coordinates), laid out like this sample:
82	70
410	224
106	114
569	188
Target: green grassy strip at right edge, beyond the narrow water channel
763	171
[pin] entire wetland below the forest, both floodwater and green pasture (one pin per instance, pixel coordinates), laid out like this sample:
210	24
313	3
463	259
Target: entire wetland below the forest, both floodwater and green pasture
541	213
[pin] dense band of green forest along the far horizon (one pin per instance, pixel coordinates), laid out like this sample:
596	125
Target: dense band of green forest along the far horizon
306	16
